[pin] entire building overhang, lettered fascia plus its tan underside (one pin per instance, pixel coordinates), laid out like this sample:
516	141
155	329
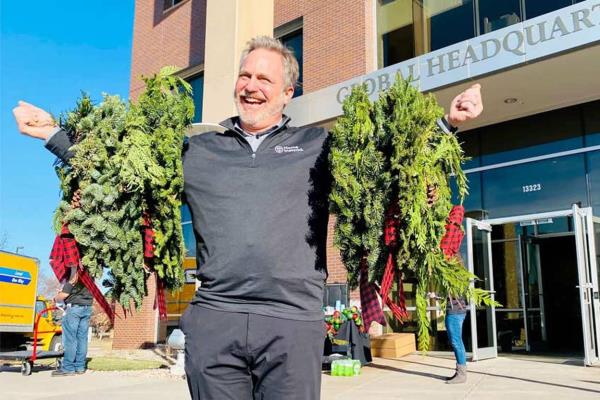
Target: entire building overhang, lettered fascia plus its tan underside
541	64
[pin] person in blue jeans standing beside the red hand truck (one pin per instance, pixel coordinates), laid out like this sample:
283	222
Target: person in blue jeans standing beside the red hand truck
75	323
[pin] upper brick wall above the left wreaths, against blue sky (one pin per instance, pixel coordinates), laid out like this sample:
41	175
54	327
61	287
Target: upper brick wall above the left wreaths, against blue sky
173	37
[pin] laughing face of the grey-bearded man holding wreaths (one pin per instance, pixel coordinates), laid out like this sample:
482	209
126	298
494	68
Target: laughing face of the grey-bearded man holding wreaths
260	91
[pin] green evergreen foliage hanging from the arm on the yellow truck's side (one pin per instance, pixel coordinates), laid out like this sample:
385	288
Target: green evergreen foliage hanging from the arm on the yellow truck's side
127	163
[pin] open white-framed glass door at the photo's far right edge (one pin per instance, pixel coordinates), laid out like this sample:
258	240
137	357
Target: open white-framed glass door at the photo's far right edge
586	236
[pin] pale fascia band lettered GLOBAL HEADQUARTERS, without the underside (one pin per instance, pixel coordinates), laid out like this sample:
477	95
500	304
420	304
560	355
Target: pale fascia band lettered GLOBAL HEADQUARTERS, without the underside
548	34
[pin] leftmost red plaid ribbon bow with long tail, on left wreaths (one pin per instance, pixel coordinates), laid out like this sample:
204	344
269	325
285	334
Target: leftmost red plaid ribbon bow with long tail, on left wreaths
64	256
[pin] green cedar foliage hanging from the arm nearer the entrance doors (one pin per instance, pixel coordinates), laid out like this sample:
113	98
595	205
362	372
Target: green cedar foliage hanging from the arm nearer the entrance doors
392	150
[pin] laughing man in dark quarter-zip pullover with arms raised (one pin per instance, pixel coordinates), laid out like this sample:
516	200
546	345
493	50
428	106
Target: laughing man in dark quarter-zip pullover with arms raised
258	195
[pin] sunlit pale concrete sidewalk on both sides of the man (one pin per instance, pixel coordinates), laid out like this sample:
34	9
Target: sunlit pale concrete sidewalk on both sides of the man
412	377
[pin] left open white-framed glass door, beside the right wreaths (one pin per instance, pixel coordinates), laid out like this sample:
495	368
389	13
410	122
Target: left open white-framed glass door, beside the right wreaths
479	261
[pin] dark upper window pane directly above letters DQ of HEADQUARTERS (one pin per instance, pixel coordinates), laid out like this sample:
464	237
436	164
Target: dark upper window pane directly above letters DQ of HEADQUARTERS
494	14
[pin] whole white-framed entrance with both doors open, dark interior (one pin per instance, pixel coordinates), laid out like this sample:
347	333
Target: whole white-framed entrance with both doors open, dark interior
559	262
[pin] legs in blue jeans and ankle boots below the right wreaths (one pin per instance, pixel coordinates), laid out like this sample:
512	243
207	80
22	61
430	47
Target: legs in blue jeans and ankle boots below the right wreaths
456	311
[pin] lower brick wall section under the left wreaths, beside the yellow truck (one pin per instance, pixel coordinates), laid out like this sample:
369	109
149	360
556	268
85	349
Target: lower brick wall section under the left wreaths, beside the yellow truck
136	329
